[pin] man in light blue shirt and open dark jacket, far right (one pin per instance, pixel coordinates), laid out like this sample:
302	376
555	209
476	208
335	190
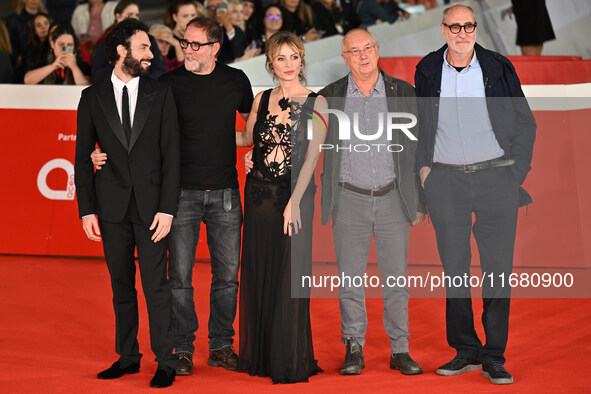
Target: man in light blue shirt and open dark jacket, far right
474	151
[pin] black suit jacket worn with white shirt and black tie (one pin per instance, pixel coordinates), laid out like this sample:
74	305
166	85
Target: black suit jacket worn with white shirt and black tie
149	164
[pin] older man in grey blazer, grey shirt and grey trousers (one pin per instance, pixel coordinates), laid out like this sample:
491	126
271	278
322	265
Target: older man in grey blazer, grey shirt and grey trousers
370	193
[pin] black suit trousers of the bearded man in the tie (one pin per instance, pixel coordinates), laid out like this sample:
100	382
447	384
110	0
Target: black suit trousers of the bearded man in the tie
119	242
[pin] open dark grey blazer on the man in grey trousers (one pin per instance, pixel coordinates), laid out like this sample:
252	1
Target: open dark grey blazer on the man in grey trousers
404	162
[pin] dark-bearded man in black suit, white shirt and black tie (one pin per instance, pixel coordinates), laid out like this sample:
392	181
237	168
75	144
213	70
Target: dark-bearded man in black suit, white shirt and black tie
134	121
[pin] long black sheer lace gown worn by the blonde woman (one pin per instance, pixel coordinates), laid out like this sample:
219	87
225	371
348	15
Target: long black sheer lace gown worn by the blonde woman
275	331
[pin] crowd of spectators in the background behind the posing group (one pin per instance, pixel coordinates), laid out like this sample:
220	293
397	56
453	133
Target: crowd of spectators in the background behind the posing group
60	41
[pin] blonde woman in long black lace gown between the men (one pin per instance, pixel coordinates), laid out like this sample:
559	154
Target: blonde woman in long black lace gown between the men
275	332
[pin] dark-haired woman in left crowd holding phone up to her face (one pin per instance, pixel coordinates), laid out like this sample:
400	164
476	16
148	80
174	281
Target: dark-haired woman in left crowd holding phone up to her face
63	65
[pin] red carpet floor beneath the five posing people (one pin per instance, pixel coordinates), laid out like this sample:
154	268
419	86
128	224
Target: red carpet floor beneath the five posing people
57	332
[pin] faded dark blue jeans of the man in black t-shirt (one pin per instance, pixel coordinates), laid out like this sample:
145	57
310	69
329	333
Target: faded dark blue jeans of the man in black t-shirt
223	225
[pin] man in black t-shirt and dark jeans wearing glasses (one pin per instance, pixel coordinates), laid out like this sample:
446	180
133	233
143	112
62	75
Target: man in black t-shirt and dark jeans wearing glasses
208	94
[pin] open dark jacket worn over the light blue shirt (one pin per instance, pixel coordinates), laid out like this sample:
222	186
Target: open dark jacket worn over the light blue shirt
512	120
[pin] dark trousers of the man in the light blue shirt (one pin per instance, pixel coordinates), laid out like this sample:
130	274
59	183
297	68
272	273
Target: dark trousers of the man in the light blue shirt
452	200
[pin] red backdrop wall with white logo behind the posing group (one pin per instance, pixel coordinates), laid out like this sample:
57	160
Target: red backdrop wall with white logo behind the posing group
40	214
